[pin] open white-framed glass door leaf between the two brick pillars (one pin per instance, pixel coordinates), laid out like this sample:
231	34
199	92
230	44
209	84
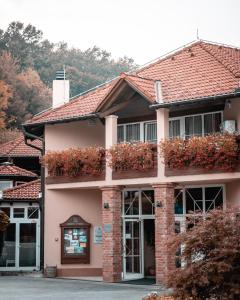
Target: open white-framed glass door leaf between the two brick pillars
133	260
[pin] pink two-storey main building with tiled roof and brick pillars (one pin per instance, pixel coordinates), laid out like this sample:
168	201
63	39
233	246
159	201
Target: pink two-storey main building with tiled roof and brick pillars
117	224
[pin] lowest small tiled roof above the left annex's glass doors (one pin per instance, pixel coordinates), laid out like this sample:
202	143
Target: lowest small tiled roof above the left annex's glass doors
24	191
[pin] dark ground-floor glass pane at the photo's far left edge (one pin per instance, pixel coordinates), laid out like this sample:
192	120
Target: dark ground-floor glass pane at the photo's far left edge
7	246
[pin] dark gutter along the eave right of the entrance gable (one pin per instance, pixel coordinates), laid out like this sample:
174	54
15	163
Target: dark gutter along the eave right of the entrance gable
194	100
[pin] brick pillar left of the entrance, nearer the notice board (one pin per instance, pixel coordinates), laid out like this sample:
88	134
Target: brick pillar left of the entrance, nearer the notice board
111	217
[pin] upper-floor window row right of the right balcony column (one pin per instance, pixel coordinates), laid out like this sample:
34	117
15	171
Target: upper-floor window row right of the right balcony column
195	125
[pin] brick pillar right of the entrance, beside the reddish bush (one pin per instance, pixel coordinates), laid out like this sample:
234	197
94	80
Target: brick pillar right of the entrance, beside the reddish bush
164	229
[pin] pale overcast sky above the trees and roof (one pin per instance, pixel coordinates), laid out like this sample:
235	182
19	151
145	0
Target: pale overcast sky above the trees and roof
141	29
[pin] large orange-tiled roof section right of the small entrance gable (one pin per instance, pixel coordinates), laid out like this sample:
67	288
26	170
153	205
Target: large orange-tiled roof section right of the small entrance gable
199	70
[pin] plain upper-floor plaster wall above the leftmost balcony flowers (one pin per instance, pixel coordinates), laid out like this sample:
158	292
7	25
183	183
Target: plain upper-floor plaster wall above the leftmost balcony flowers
74	134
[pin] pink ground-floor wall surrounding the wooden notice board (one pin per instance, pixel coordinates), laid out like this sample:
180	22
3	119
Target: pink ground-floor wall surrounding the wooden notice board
59	206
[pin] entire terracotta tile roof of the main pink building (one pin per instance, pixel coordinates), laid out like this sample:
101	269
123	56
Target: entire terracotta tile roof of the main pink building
201	69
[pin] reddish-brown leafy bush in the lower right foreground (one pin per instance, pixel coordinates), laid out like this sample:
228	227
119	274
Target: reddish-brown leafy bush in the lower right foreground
211	252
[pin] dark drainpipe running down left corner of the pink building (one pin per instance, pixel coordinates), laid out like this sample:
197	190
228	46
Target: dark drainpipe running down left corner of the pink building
42	200
